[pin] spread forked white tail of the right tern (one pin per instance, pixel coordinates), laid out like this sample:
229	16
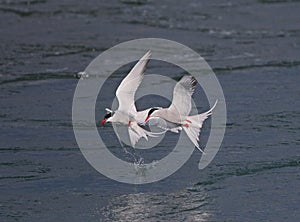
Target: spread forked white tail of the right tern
195	125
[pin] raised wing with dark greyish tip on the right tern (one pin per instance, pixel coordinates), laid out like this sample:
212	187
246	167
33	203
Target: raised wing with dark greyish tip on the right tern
182	95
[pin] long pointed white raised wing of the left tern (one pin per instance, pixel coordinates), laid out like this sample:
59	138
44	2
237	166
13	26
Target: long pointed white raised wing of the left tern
127	88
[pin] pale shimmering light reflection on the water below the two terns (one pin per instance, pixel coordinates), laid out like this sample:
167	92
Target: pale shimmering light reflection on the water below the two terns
187	205
